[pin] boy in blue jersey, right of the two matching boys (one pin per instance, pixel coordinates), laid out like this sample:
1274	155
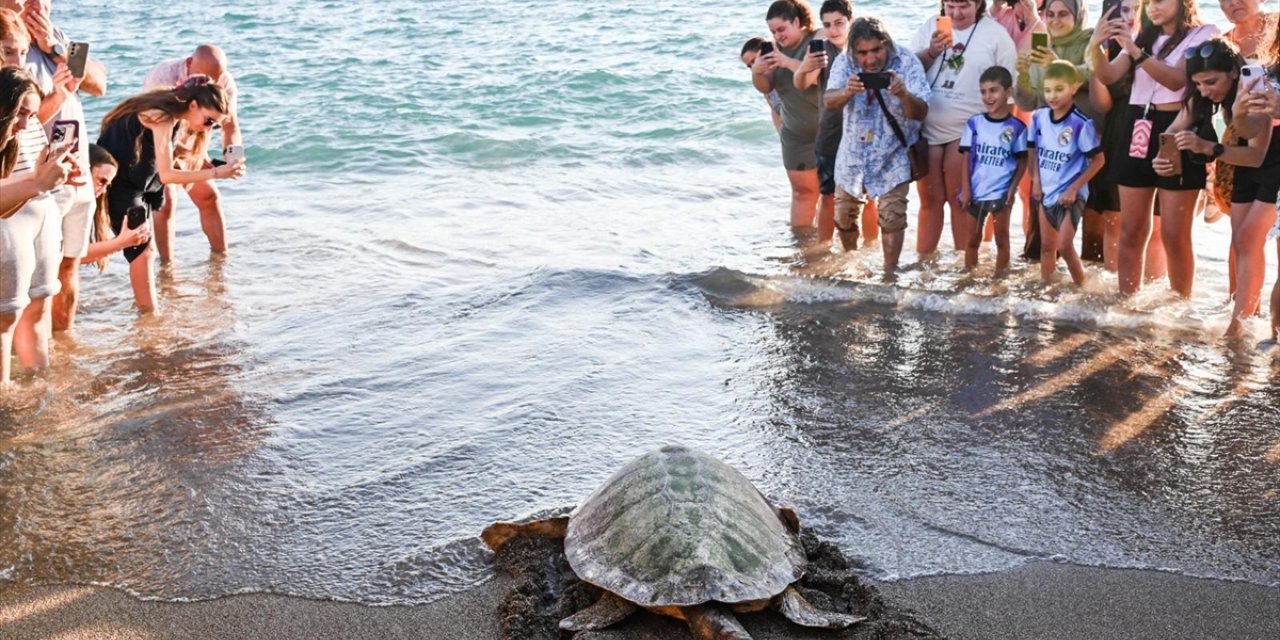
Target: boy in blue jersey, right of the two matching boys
1068	154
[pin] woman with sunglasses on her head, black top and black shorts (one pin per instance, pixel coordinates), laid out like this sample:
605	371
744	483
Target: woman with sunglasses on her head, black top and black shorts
1214	81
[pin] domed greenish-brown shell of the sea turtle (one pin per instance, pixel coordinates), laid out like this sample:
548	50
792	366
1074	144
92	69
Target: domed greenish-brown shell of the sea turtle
680	528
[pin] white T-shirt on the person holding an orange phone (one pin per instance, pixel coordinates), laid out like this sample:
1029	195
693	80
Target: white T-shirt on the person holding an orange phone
957	95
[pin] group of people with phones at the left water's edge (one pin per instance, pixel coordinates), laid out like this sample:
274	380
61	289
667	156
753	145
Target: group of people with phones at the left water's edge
67	202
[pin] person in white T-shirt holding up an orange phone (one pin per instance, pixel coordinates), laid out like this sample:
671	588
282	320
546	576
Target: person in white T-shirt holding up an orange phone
954	49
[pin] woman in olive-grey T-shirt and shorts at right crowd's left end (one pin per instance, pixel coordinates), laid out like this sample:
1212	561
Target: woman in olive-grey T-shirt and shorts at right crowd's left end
793	28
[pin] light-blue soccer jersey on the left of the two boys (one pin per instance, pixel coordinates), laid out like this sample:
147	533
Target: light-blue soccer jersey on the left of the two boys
994	149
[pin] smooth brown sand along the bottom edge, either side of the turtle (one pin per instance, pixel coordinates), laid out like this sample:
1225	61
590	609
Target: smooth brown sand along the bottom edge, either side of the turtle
1041	601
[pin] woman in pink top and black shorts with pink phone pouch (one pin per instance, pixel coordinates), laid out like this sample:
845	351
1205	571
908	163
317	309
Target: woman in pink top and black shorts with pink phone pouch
1159	86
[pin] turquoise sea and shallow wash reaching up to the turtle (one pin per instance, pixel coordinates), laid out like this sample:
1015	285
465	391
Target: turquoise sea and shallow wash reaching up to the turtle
487	254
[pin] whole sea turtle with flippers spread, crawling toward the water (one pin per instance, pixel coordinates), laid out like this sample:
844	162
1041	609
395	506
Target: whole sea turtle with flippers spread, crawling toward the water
682	534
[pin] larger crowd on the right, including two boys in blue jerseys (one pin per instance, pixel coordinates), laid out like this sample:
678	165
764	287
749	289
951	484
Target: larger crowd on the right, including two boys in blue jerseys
1123	131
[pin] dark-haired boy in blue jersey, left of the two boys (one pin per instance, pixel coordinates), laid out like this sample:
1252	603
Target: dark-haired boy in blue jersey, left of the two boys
996	148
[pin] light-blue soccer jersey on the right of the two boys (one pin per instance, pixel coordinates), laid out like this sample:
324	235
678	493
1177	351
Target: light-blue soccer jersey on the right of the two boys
1063	150
